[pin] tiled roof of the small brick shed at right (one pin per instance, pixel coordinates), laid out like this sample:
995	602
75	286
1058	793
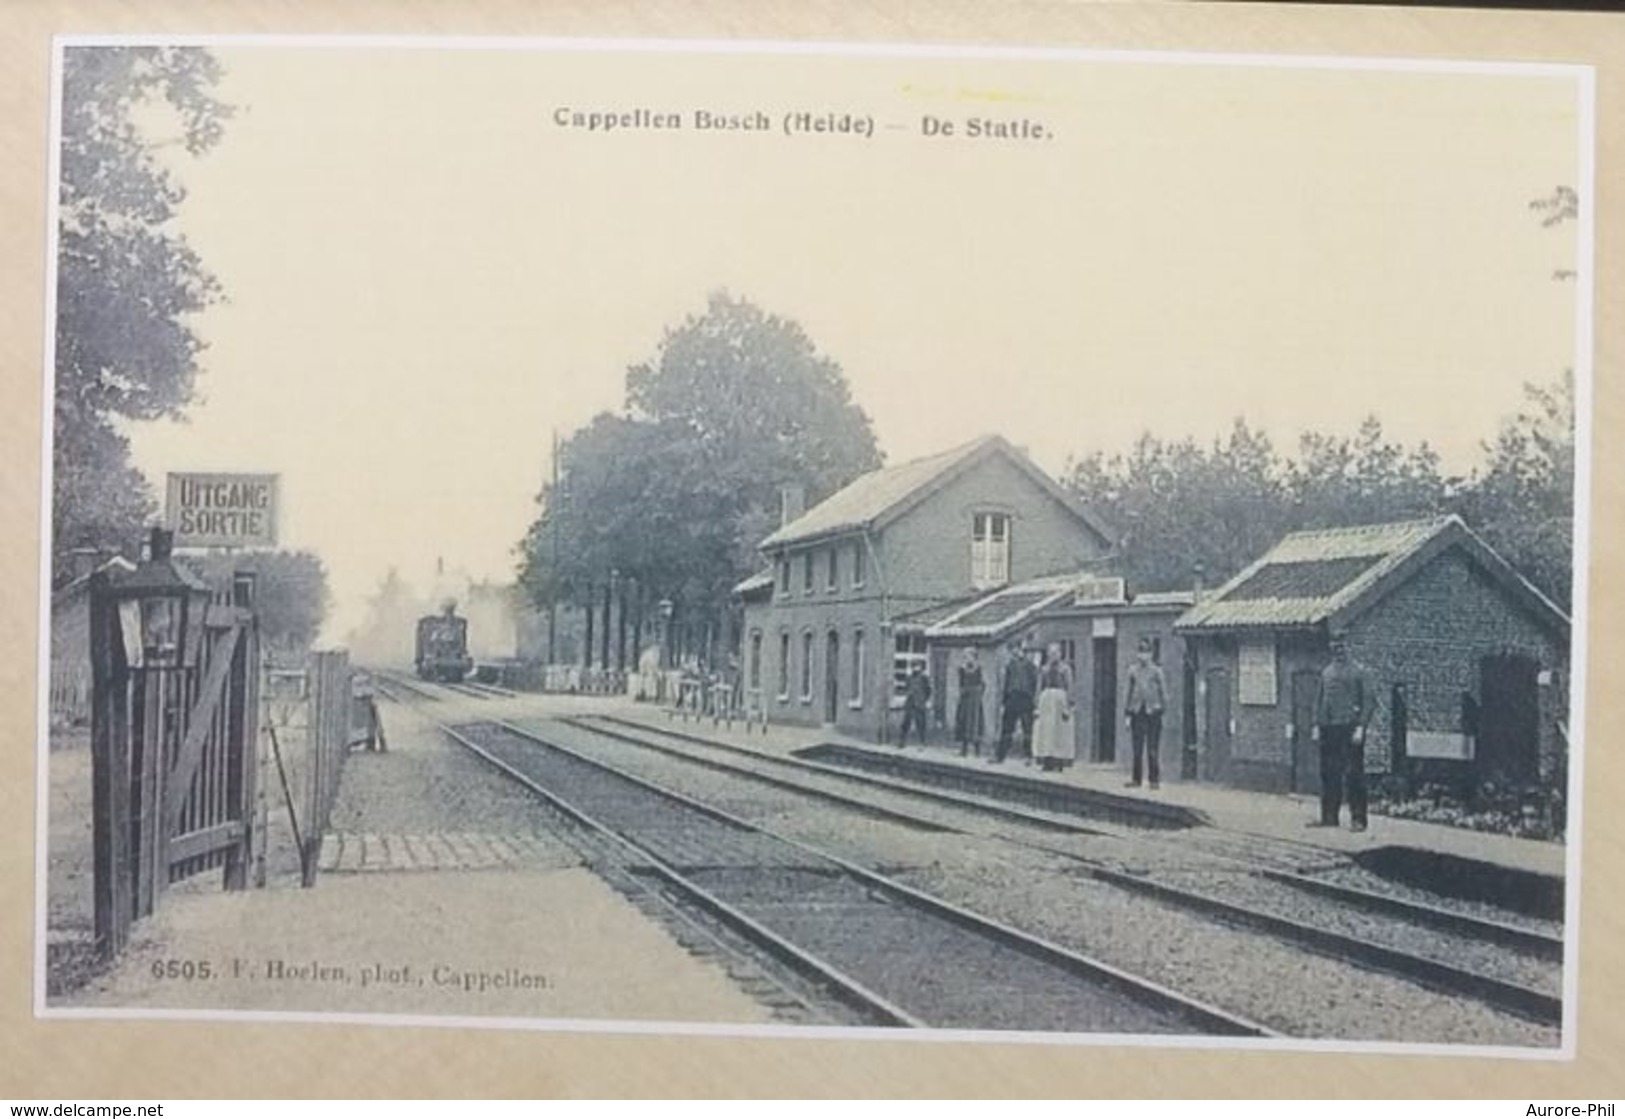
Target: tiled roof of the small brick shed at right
1325	576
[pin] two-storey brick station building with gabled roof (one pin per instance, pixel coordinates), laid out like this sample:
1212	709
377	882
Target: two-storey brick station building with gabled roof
839	620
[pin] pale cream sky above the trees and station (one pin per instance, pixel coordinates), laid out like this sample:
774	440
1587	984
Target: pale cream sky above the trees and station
428	275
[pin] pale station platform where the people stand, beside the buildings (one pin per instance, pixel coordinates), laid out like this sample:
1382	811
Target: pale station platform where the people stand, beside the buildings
1246	813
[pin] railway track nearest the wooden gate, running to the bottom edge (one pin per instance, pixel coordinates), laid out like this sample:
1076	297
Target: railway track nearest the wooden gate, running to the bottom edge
875	944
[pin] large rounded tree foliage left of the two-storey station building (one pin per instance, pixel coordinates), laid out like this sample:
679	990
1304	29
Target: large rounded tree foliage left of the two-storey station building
674	496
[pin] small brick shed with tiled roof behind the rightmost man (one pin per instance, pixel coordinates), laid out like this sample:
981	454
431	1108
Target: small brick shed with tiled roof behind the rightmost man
1470	660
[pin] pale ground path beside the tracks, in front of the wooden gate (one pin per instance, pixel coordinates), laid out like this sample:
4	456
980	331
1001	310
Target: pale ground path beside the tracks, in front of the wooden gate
443	896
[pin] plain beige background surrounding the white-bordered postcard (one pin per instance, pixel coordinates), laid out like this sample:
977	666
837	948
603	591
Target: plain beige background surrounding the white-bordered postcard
71	1060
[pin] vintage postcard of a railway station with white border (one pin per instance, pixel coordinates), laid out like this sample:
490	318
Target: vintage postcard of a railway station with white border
786	540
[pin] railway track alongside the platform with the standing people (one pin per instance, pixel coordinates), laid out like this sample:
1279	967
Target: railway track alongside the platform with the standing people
1465	956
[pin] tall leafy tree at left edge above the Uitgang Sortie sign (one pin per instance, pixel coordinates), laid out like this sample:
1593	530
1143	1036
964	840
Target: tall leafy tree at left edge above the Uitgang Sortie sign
128	283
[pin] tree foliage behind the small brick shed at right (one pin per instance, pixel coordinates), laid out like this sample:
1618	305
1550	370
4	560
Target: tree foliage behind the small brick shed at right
1223	506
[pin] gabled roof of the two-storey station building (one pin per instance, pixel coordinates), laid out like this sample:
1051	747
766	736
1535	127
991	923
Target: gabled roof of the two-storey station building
882	493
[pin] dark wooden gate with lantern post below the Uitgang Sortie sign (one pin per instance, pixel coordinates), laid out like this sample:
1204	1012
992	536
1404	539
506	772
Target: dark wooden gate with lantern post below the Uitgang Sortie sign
175	733
